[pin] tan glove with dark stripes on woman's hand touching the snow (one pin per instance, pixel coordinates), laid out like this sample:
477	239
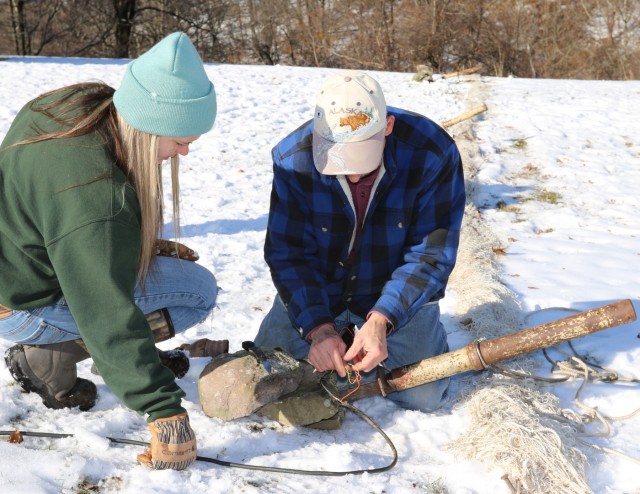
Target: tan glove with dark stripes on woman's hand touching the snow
173	444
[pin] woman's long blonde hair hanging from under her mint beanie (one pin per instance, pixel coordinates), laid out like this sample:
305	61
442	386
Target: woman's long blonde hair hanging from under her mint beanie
134	152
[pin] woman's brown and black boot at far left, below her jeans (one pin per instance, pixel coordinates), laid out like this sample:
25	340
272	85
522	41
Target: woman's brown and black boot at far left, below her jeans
50	371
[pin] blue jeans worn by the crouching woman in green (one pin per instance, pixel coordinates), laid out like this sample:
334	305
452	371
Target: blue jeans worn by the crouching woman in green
185	288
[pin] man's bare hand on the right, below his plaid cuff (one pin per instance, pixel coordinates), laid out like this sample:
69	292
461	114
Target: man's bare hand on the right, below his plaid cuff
369	346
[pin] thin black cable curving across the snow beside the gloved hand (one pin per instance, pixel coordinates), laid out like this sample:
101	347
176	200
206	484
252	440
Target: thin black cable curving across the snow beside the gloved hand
245	466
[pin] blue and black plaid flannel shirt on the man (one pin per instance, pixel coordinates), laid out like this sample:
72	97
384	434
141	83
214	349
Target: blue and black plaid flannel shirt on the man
409	239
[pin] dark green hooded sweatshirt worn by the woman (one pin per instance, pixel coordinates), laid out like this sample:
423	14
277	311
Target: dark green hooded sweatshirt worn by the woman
70	227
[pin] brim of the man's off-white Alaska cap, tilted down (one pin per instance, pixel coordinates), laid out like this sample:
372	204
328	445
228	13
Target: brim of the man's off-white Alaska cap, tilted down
347	158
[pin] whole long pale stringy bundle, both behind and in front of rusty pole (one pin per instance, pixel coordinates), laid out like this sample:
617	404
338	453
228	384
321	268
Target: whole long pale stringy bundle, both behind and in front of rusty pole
514	427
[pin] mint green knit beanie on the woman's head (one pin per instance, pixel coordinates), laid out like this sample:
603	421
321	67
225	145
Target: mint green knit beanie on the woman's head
166	91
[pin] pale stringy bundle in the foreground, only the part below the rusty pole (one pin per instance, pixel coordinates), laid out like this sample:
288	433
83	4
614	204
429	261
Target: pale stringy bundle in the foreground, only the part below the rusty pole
520	431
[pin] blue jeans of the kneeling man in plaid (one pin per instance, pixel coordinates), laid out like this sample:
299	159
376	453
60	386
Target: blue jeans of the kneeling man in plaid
422	337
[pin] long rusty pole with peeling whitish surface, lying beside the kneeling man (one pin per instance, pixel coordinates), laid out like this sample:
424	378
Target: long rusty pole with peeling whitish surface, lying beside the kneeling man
480	354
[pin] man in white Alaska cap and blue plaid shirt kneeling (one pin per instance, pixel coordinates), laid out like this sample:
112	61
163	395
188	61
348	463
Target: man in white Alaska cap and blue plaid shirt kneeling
366	206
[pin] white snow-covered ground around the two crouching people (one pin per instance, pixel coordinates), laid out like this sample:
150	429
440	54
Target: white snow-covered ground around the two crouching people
554	174
